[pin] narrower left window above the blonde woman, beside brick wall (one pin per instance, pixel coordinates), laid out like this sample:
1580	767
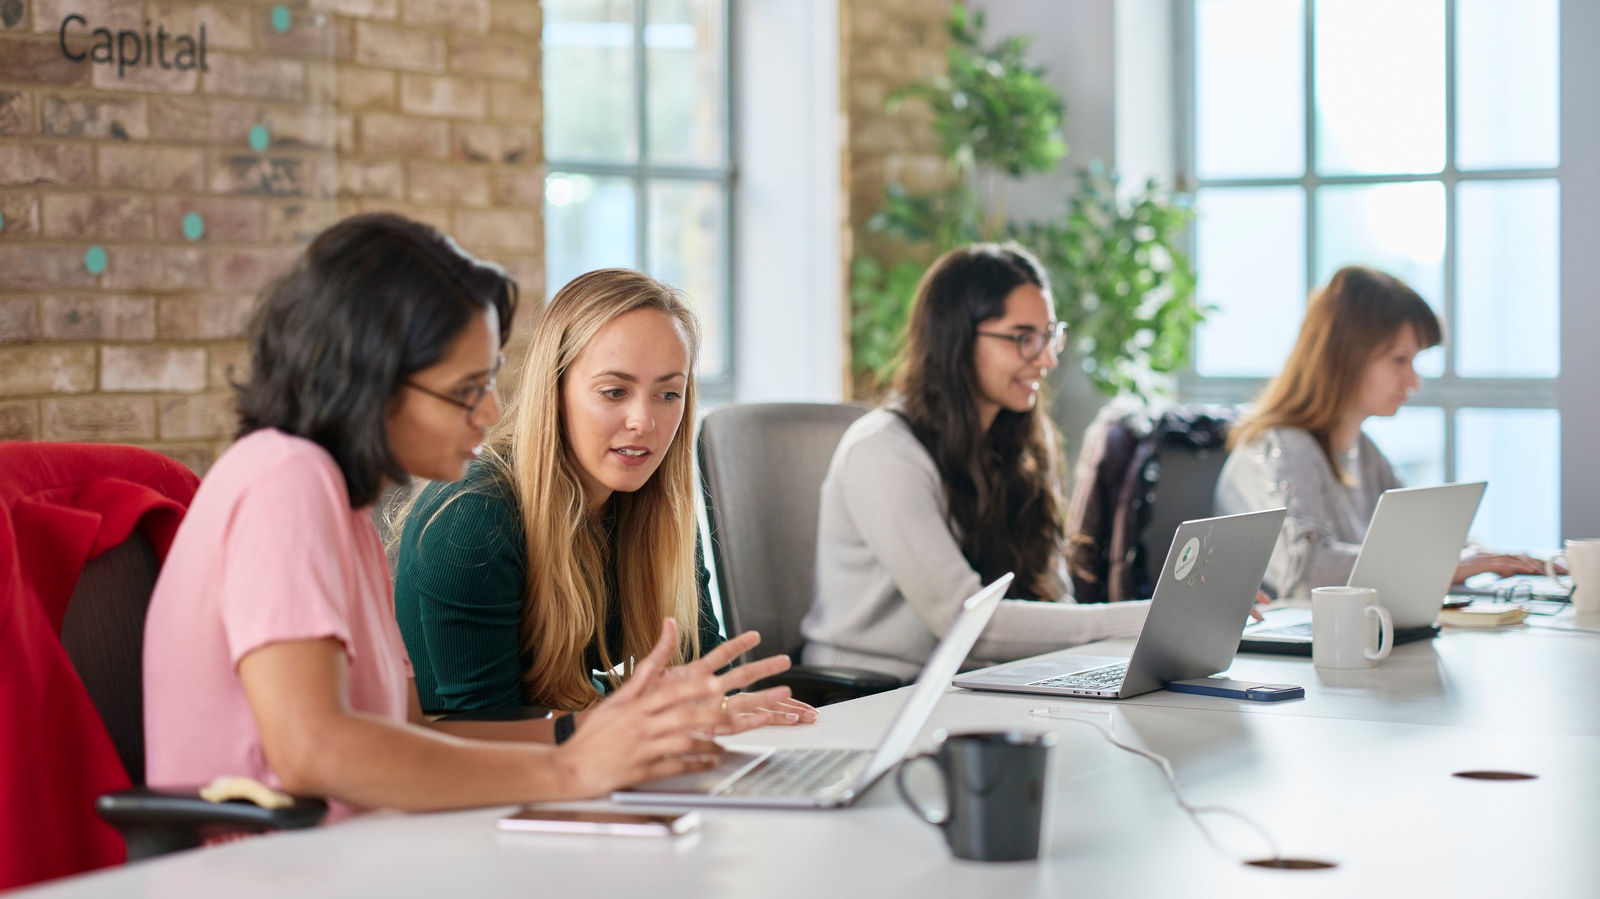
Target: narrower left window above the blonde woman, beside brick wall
636	138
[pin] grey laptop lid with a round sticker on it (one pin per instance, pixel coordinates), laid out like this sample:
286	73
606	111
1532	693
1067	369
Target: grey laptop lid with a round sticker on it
1202	599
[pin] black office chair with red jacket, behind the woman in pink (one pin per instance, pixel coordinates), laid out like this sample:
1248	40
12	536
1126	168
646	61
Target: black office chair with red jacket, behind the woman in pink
103	633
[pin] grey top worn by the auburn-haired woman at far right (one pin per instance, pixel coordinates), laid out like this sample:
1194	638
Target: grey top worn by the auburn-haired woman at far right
1327	517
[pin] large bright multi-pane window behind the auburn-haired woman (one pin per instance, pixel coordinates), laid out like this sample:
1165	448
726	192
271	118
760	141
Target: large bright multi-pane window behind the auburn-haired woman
1420	138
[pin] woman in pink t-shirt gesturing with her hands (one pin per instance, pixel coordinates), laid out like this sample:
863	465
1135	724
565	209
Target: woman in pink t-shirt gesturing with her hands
271	644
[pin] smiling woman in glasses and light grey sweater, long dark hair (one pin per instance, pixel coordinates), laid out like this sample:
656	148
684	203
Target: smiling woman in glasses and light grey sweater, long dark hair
953	484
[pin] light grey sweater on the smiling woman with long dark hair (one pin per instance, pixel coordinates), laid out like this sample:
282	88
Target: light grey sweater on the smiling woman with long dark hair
890	575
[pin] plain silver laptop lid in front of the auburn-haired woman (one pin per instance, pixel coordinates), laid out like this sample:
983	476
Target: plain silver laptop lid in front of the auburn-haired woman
1414	548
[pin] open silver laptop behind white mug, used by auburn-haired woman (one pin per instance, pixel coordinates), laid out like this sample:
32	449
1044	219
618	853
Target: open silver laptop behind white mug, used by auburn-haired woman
1410	557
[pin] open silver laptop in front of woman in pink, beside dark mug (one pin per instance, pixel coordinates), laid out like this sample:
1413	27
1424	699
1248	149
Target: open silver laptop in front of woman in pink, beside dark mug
828	778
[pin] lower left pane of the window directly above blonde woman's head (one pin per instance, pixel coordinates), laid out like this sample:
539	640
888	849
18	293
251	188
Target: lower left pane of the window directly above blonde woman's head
588	225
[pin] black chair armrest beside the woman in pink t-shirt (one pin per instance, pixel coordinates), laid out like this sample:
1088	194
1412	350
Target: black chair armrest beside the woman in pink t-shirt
156	823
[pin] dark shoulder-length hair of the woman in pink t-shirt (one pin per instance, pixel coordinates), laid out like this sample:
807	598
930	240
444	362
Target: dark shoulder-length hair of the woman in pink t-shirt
370	303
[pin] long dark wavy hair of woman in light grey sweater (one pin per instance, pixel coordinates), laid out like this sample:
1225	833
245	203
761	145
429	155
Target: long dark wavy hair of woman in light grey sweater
1001	485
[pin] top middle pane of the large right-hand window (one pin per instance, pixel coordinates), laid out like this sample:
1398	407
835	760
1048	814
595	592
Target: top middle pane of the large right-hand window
1380	87
